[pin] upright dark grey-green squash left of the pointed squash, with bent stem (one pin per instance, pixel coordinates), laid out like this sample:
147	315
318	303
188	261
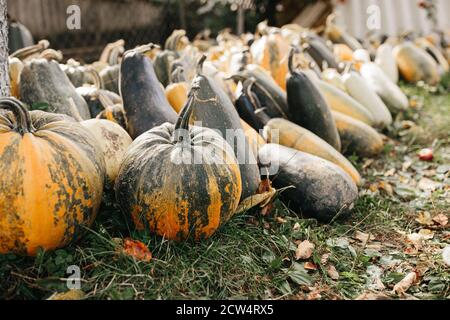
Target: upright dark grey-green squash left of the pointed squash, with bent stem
144	101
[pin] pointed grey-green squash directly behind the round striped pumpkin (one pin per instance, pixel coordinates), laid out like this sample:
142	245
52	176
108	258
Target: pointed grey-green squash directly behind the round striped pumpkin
213	109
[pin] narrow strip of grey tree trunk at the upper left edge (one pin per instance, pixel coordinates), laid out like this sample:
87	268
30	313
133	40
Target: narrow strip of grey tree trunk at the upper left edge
4	74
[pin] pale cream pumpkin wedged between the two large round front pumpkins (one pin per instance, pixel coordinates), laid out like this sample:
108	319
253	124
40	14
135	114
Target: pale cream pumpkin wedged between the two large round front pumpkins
113	141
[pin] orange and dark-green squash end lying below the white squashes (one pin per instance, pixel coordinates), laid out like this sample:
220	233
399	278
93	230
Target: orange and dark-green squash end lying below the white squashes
357	137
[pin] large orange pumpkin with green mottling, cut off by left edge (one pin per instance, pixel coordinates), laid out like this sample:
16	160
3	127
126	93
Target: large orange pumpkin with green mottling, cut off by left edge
51	179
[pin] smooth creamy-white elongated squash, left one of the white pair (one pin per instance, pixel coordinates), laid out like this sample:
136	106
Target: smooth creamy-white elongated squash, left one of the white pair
358	88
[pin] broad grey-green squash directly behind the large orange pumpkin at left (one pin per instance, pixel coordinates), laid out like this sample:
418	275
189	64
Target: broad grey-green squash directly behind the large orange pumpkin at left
44	81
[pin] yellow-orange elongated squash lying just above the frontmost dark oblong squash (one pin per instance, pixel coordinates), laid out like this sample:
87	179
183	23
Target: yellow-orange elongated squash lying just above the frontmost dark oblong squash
290	135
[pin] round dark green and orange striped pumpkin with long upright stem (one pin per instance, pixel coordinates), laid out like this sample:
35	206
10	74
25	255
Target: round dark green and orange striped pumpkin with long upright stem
169	194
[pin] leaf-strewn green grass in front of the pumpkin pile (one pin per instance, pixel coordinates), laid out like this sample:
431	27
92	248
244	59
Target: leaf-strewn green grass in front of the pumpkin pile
253	257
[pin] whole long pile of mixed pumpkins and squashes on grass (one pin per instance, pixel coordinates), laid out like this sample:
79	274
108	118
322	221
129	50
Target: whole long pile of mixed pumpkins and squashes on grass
152	125
